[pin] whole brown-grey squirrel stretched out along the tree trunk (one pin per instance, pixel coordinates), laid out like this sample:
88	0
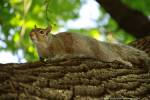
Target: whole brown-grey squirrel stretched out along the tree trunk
74	44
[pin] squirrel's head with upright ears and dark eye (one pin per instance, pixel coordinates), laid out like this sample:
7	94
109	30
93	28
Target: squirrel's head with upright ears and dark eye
40	35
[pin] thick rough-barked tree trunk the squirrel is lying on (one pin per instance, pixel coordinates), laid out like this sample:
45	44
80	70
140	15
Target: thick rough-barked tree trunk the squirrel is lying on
73	79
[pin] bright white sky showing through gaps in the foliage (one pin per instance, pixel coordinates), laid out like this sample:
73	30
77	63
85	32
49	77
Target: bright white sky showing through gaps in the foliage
86	20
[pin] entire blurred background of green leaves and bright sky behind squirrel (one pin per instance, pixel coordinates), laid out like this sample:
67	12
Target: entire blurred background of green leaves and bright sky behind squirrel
18	17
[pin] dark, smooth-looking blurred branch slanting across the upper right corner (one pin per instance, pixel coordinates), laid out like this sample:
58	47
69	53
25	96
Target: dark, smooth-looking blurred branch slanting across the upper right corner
132	21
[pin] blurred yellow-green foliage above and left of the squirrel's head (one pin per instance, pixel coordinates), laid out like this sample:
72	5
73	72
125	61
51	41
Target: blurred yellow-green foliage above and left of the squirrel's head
19	16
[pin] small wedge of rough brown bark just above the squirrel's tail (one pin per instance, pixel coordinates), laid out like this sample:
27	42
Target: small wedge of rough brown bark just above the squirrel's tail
142	44
